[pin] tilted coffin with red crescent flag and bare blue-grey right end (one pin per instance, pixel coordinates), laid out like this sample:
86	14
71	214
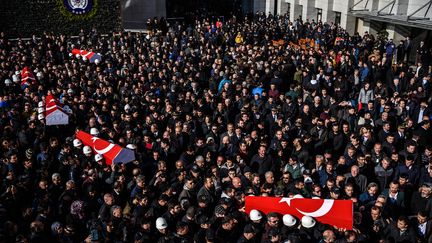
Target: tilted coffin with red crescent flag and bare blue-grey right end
112	153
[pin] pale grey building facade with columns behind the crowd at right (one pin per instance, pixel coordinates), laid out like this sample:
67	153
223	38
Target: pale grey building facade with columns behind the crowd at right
400	18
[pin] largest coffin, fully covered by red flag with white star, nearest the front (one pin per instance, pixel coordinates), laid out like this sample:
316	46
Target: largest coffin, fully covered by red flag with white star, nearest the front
338	213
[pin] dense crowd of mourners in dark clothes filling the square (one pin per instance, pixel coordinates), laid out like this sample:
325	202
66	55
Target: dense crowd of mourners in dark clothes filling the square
217	111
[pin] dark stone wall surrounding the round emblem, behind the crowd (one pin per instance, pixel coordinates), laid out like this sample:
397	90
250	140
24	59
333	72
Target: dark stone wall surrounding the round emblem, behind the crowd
26	17
